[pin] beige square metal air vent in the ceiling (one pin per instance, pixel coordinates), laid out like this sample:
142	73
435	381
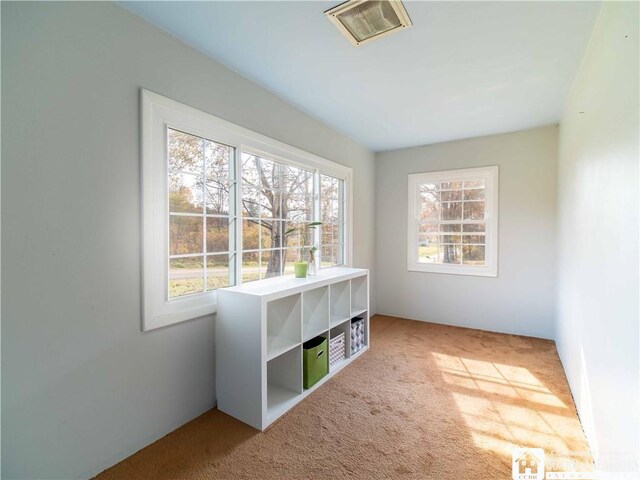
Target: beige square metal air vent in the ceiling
363	21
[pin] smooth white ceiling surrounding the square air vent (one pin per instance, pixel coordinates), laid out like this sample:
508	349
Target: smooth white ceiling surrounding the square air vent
464	69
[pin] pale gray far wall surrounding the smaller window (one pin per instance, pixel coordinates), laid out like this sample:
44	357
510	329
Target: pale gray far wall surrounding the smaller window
522	299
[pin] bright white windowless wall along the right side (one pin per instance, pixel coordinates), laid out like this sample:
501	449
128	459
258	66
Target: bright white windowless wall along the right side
598	315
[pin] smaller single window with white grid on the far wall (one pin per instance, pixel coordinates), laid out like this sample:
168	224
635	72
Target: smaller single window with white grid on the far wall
453	222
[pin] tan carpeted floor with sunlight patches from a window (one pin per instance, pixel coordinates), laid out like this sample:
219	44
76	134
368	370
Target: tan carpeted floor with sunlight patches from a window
425	402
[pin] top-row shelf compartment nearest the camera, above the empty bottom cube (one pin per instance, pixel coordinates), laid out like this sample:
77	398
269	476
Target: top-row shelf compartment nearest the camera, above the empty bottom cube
284	320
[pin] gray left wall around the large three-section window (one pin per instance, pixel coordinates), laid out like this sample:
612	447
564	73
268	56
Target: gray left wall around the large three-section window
82	387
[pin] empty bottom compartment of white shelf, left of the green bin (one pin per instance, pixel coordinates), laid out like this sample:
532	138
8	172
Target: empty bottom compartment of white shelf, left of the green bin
284	382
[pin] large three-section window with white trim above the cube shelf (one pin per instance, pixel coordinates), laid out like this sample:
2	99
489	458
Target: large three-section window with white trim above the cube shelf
222	206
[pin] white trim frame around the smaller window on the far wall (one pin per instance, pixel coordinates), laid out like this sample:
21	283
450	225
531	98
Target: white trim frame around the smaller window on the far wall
491	177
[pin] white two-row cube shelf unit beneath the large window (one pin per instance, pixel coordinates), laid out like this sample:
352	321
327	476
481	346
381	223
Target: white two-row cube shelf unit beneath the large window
260	328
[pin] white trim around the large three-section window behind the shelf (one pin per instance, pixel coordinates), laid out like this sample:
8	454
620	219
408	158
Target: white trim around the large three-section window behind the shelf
159	112
